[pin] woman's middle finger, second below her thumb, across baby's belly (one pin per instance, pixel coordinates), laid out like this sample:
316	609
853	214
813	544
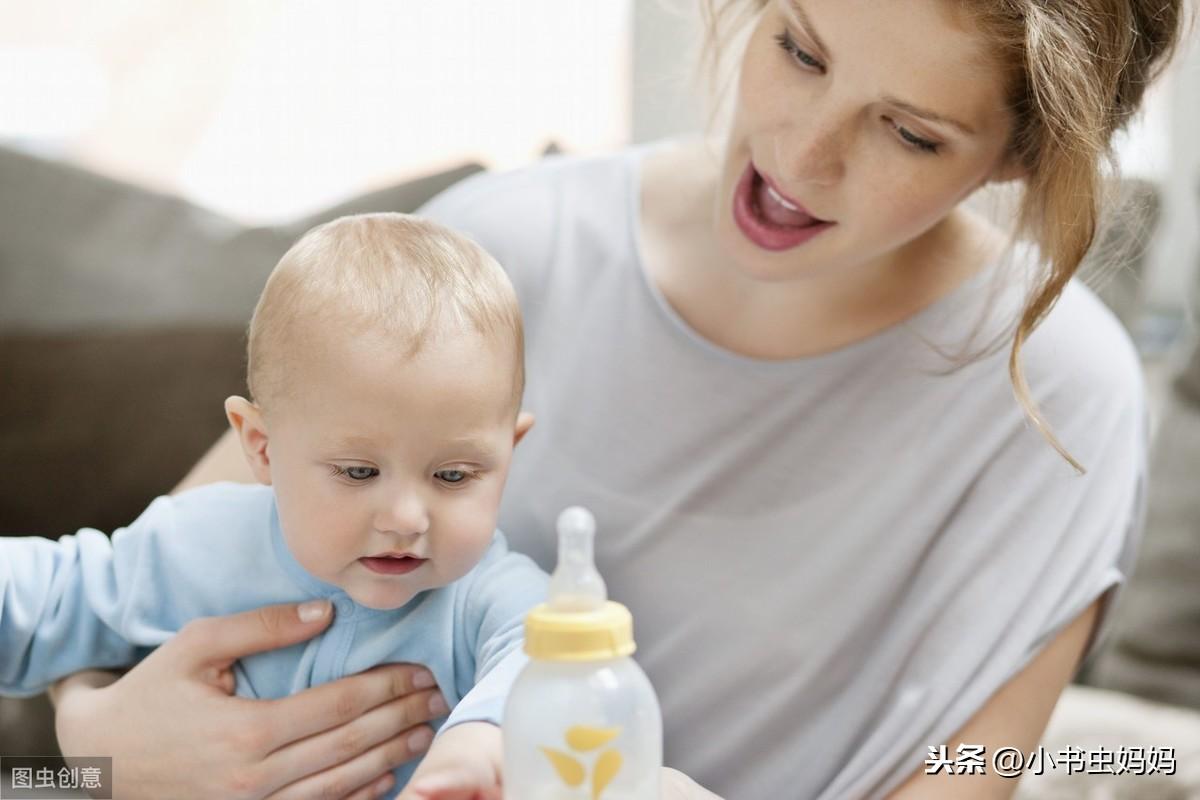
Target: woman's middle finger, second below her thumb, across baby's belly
394	720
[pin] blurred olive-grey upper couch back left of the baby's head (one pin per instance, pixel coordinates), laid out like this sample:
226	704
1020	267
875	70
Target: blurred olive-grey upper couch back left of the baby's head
81	250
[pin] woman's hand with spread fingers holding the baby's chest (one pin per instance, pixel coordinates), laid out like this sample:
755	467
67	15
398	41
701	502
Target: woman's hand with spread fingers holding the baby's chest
175	730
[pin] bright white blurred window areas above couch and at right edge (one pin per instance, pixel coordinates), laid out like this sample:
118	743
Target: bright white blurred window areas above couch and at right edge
269	110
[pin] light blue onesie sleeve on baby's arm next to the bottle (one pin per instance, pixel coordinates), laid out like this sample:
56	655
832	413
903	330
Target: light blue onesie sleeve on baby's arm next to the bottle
506	587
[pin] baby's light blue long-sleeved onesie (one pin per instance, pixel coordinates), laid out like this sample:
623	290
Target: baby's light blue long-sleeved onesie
89	601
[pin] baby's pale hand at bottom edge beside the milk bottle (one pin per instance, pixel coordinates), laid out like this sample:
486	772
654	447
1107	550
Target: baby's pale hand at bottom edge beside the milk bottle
463	765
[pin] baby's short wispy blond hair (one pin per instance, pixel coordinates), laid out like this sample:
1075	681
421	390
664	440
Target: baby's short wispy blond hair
391	275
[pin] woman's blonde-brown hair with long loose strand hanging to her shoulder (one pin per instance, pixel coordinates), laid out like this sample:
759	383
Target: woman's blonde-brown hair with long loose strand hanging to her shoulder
1077	71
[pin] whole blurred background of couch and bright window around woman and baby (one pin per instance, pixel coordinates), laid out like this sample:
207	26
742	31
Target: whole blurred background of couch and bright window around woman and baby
158	158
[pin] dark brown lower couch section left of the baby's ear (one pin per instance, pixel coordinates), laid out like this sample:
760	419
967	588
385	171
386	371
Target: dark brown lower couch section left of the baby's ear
103	423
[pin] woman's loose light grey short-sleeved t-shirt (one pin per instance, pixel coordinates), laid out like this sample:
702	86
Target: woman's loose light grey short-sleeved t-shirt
832	562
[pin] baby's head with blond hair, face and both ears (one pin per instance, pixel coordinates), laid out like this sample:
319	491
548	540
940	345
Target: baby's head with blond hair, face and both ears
386	377
